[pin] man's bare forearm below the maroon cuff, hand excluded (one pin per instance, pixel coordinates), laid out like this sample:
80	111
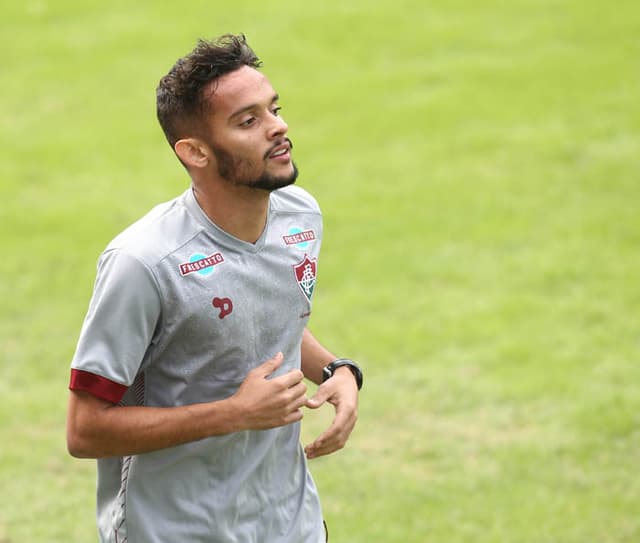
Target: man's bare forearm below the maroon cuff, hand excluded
97	429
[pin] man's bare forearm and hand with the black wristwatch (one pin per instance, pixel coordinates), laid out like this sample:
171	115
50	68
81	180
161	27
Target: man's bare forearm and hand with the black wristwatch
340	390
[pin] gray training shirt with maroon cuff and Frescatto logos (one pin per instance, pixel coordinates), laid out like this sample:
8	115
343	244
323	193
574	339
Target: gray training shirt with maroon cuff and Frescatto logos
181	311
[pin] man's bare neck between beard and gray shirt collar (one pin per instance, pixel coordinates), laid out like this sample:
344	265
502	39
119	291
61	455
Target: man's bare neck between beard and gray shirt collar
239	211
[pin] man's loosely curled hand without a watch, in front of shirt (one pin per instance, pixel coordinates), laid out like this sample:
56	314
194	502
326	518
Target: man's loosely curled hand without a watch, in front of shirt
263	403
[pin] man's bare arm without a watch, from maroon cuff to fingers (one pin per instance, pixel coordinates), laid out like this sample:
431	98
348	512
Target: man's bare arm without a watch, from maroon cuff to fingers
96	428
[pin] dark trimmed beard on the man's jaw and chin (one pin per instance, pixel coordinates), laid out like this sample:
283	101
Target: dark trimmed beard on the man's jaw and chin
241	172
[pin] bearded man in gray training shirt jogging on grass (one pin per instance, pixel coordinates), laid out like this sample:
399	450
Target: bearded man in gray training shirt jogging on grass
187	382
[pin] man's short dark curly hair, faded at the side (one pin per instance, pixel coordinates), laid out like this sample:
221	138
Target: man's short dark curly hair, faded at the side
180	96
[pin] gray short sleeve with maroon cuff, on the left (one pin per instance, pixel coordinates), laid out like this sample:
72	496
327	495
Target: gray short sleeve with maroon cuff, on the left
123	314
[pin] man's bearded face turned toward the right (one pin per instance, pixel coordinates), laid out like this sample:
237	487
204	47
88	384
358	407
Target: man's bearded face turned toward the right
246	133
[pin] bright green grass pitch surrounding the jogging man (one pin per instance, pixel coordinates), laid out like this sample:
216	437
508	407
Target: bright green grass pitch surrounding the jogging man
477	163
